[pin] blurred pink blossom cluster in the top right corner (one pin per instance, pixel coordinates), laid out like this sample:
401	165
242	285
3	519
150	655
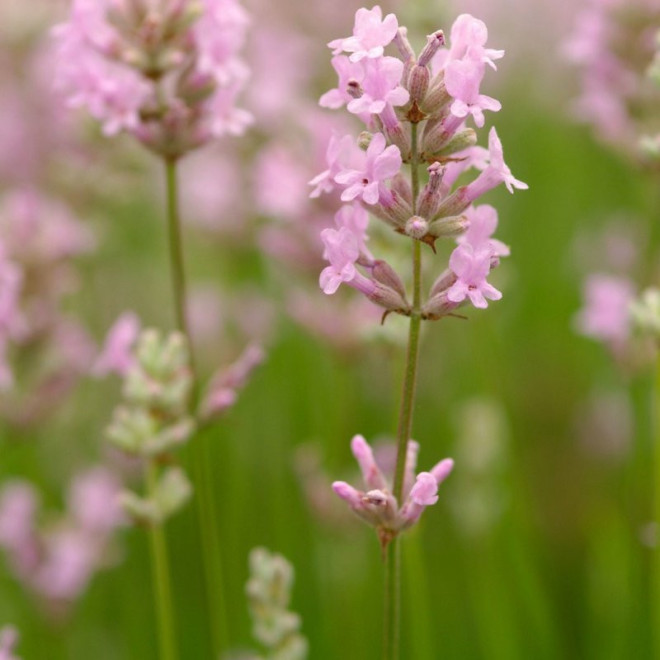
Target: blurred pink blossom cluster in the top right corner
613	43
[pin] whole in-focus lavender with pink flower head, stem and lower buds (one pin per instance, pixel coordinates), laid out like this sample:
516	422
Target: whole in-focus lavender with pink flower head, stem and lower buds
415	110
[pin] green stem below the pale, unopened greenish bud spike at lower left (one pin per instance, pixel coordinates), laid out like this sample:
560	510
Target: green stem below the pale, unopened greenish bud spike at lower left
161	578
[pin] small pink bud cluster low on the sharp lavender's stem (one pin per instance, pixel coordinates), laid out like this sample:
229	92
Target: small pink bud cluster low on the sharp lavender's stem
376	505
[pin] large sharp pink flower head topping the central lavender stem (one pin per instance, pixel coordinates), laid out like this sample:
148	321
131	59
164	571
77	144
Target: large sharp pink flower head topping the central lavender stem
439	92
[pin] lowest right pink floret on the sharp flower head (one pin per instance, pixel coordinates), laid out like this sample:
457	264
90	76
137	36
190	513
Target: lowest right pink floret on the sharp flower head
471	268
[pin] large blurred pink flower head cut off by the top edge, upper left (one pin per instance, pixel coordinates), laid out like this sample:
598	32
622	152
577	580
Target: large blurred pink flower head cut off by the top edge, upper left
167	72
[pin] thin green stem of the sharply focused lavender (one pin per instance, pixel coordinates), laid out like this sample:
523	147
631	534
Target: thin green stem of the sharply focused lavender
392	556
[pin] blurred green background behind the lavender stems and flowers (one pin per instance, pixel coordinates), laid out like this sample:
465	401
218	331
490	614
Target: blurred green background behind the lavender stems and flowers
536	547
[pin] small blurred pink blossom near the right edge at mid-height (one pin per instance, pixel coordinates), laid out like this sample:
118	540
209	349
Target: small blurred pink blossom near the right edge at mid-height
606	312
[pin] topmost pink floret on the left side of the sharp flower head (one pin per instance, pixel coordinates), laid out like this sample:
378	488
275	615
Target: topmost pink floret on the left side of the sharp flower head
371	33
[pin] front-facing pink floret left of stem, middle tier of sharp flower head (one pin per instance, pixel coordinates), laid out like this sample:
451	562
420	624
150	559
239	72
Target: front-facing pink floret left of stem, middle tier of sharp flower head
379	164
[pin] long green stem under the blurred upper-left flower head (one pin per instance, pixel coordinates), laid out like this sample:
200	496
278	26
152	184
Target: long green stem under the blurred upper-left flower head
205	505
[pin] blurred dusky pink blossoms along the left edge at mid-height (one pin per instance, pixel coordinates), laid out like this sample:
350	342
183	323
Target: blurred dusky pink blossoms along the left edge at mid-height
39	239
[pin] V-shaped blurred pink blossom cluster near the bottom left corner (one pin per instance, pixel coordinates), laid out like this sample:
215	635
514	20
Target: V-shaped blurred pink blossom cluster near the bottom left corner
56	558
